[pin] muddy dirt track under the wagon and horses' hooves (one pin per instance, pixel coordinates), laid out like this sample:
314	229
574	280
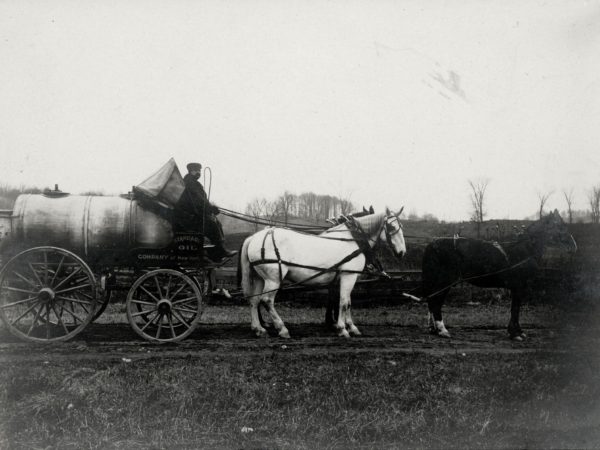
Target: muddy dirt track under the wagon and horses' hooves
383	331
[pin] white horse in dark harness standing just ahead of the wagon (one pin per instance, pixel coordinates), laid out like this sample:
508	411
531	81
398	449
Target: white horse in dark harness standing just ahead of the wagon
274	254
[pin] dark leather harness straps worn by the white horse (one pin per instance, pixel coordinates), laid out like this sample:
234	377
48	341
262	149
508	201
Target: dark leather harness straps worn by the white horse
358	236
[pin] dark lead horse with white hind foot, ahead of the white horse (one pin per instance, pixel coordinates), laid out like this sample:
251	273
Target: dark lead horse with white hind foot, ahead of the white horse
448	261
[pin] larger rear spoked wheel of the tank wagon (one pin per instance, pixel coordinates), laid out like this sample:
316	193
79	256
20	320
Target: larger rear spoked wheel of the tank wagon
47	294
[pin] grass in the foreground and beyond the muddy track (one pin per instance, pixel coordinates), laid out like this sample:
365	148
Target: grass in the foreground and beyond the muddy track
266	394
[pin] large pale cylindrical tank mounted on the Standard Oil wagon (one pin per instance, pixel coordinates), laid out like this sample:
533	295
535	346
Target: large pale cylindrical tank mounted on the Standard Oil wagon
106	230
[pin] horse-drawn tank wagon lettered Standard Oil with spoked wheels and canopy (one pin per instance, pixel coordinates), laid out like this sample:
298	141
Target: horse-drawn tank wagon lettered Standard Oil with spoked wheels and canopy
63	255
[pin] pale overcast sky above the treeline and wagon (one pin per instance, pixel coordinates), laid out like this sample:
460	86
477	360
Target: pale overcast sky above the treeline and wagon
386	103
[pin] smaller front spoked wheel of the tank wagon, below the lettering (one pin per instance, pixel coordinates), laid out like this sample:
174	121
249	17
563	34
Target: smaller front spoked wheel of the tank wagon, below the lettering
164	305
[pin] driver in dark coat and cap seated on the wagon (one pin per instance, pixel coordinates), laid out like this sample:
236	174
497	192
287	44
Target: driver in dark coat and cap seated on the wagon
195	212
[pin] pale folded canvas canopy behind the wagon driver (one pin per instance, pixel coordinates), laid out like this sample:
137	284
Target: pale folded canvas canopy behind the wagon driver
165	186
